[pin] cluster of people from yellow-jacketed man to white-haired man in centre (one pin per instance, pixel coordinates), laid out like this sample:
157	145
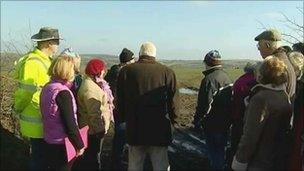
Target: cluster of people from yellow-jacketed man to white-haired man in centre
54	101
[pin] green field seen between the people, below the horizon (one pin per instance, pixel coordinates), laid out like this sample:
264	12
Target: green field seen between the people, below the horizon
188	72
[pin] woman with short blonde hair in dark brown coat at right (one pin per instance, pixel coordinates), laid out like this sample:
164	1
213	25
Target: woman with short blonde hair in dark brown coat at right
267	118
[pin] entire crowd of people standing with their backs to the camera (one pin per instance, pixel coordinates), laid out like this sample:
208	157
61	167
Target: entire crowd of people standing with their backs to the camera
54	101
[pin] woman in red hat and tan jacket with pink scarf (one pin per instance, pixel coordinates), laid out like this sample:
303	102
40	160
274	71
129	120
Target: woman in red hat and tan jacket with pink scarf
95	102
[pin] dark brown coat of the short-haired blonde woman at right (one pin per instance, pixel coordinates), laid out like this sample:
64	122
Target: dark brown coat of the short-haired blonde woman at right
267	118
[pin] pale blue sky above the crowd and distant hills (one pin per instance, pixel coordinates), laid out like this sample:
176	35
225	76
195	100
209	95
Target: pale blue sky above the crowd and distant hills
179	29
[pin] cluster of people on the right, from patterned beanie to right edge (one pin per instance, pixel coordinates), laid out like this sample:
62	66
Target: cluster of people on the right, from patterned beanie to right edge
261	113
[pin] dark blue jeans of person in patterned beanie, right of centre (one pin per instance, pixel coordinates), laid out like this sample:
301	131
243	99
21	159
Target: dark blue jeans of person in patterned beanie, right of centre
216	143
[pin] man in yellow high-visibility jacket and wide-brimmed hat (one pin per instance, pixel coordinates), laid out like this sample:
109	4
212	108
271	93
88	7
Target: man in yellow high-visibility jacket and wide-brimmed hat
31	72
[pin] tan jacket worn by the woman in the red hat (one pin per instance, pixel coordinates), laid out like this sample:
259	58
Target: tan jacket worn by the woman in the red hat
93	107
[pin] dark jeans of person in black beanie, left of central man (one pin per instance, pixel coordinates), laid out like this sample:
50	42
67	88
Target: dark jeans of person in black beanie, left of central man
119	141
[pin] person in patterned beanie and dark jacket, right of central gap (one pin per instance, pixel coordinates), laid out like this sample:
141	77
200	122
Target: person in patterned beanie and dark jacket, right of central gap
211	115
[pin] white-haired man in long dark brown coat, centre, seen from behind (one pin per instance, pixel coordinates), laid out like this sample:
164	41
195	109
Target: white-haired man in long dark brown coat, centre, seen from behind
146	94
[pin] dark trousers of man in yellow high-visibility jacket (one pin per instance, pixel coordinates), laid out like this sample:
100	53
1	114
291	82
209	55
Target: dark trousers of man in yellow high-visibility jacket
38	157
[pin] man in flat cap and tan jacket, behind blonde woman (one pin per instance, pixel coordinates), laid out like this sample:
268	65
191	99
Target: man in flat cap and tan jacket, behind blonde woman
269	44
